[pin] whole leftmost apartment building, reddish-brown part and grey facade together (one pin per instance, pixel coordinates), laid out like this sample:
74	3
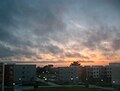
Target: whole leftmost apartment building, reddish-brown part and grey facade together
18	74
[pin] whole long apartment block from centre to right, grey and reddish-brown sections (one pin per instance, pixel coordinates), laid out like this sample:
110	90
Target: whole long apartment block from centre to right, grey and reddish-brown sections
90	74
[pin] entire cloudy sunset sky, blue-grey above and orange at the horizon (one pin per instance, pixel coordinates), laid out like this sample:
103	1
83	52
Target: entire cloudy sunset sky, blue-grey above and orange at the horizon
60	31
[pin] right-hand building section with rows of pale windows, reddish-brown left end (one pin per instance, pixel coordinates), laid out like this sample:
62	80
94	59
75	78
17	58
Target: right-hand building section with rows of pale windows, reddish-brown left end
96	74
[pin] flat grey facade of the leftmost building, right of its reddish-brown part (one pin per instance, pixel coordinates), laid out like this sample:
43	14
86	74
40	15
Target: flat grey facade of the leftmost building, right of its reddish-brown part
24	74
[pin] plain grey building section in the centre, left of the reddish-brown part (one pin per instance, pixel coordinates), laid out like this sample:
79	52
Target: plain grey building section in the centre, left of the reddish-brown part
70	74
